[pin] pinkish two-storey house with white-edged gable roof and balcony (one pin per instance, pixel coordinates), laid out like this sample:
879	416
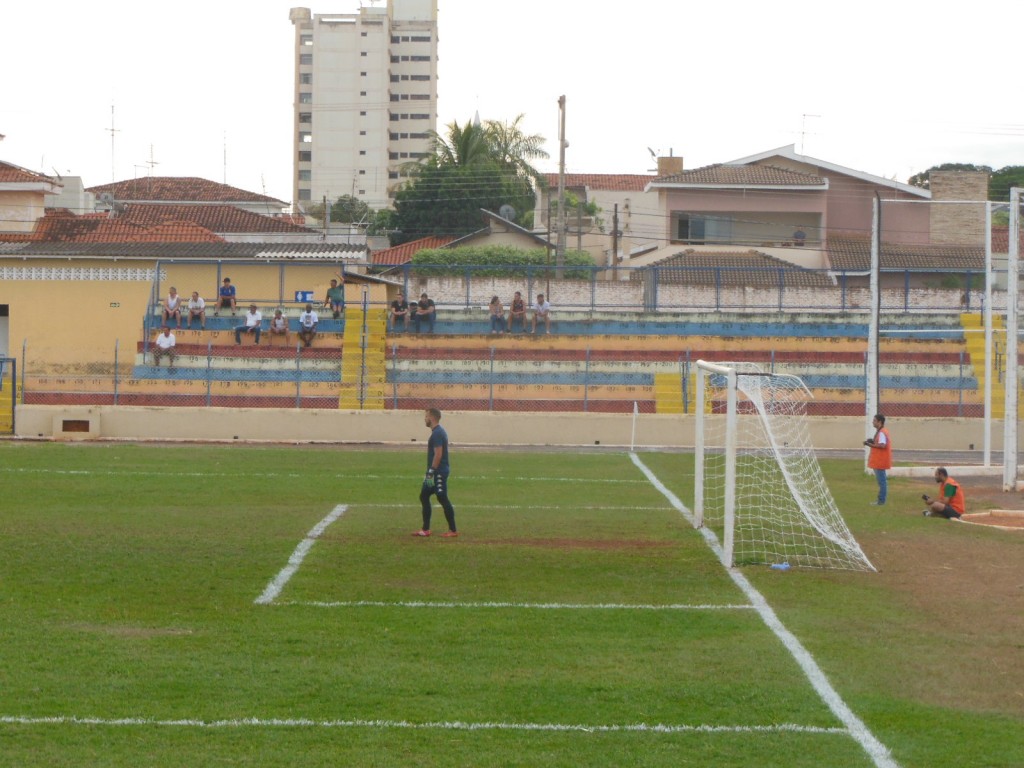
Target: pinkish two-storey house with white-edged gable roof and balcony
819	215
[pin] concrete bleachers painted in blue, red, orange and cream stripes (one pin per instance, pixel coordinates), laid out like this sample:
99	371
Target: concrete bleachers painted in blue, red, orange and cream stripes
595	362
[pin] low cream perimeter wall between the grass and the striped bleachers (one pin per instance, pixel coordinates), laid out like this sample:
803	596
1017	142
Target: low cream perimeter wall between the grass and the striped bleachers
525	429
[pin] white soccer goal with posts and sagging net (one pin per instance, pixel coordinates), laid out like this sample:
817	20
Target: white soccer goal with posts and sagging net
758	480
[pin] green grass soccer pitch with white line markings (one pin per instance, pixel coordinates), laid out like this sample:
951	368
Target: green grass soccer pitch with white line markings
206	606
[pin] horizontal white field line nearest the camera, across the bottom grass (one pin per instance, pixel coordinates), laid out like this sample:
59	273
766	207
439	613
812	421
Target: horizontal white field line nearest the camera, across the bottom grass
451	727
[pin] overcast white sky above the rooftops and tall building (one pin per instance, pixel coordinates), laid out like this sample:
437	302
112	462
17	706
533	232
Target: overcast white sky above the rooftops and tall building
894	87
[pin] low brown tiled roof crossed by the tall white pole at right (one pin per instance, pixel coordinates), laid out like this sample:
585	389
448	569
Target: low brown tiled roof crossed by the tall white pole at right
855	254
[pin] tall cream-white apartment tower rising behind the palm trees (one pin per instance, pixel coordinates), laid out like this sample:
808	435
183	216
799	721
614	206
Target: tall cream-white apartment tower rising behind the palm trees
366	99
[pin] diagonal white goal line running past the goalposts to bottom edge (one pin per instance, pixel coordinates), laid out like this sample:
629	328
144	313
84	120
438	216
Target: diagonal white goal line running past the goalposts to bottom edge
876	750
